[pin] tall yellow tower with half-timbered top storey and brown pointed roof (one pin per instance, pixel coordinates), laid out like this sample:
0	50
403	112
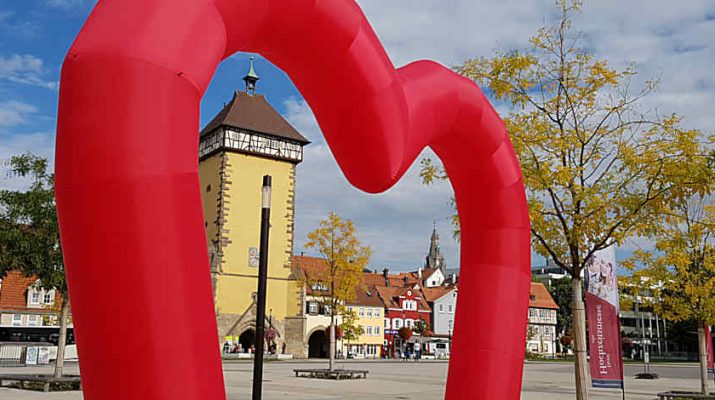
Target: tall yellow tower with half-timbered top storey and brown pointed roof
246	140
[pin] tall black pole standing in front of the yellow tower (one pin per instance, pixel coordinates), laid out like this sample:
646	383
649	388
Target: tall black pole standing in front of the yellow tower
261	293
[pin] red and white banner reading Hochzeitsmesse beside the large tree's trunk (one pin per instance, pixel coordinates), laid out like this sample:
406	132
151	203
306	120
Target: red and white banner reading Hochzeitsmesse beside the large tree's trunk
604	331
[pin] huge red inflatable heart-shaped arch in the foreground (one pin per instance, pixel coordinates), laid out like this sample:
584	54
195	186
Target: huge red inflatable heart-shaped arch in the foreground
129	201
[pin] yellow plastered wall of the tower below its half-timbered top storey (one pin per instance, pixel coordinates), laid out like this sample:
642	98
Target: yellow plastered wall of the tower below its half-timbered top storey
231	187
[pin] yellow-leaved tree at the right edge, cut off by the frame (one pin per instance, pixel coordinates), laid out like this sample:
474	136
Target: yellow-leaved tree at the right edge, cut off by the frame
681	274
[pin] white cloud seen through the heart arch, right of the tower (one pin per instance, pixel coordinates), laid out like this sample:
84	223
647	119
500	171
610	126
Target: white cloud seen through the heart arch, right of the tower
397	224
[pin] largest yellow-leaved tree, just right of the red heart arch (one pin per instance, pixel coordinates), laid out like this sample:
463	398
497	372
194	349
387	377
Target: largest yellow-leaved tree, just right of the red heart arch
596	164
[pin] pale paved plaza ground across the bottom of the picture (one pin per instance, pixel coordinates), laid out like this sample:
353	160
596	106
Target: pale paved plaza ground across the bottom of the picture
405	381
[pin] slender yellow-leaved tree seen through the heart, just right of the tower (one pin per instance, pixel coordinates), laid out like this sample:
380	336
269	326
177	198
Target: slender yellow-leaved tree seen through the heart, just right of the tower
345	258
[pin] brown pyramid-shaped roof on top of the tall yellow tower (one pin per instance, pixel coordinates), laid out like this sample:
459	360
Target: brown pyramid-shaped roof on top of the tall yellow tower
252	112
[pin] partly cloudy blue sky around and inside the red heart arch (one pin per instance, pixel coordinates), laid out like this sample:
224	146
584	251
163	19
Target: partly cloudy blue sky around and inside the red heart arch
670	40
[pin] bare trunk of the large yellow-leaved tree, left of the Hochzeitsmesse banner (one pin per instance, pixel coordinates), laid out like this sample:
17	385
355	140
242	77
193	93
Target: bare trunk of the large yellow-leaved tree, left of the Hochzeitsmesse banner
579	340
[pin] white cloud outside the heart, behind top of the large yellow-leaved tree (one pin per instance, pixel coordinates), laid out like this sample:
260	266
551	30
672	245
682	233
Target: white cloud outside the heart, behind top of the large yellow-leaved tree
664	39
